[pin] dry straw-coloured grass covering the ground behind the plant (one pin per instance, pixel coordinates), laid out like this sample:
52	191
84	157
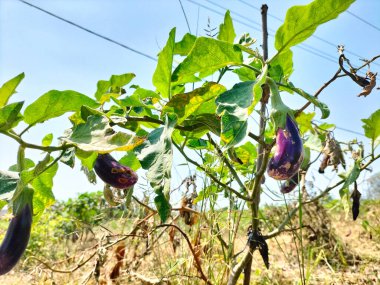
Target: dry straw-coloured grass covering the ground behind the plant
345	254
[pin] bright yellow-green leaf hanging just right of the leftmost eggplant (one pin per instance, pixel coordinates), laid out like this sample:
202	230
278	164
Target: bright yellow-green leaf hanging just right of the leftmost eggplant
43	185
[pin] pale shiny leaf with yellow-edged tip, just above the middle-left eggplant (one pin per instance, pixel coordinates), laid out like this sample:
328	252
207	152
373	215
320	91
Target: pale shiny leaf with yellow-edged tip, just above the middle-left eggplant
97	135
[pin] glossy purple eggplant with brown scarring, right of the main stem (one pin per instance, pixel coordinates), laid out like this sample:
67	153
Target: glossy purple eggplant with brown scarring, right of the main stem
289	152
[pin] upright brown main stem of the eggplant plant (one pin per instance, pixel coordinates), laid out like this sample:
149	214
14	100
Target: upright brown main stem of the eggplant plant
263	154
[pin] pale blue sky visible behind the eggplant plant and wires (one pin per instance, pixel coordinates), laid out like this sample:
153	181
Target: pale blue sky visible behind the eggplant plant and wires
56	55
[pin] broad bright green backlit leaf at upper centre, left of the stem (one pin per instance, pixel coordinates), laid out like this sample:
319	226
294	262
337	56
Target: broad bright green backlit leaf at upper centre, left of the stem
206	56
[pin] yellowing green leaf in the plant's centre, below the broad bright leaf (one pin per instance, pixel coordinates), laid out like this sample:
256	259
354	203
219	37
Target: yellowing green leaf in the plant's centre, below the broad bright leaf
184	105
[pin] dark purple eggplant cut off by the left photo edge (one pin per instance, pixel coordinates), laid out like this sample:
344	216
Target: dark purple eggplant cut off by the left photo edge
16	239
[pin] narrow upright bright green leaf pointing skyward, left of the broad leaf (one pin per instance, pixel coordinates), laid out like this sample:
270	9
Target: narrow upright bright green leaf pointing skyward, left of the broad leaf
163	72
